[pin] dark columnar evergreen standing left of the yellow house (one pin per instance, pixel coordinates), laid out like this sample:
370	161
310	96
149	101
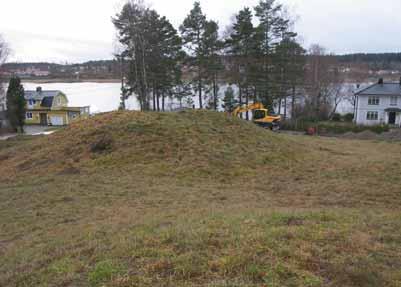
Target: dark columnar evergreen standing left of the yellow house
16	104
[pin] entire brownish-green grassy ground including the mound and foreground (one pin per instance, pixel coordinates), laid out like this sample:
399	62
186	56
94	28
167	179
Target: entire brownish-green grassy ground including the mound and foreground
197	199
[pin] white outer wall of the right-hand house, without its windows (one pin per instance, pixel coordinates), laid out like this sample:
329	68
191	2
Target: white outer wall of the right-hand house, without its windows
385	103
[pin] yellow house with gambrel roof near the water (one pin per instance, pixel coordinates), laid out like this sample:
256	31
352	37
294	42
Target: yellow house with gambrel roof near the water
50	108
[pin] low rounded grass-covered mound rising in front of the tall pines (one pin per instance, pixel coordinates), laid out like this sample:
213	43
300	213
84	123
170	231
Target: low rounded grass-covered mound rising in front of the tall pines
184	141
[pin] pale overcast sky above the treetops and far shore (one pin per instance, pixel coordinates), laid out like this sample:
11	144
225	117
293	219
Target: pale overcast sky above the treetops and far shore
80	30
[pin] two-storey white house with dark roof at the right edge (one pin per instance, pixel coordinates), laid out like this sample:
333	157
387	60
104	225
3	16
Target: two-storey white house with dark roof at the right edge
379	104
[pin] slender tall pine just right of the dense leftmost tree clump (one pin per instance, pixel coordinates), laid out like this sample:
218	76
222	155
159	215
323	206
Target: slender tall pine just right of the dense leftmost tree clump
192	32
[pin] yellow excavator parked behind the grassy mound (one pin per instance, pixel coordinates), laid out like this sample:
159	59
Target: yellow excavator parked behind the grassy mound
261	115
